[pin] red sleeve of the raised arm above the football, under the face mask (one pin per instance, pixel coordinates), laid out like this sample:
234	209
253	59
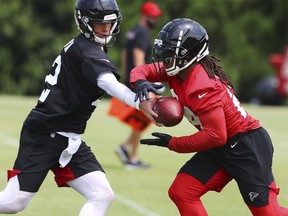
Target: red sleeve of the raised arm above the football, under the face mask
146	72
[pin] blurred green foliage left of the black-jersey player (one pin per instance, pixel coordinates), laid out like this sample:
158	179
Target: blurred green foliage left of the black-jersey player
32	34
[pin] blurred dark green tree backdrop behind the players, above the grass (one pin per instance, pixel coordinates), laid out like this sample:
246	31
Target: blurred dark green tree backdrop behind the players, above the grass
250	36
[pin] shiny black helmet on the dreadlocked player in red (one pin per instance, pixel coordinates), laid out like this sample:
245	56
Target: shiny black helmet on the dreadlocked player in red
181	42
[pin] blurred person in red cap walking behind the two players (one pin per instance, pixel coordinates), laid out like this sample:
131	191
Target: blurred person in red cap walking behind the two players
138	51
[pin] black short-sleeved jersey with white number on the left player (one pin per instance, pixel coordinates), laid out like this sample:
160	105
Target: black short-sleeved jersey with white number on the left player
71	92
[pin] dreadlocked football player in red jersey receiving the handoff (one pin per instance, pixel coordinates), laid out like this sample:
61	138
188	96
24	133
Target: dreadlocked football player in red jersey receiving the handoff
230	144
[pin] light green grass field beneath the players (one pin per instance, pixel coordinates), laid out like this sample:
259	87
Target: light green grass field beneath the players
137	192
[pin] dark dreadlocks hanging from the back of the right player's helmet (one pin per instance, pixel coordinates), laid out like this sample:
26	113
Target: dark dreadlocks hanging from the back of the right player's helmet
210	64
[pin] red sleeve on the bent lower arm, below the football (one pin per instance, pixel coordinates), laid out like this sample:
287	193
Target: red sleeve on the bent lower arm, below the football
213	135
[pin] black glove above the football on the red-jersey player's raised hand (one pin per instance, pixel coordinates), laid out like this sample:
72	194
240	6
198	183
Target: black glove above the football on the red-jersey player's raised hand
143	87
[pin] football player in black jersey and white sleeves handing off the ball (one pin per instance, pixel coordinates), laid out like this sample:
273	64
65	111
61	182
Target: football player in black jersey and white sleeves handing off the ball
51	134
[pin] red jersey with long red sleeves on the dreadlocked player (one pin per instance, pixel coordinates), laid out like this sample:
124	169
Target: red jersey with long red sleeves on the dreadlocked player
209	105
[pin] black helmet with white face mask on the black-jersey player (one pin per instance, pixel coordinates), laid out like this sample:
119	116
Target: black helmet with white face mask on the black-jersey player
98	11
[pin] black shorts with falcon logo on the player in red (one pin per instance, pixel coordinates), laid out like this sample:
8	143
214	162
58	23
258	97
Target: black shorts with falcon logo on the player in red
246	157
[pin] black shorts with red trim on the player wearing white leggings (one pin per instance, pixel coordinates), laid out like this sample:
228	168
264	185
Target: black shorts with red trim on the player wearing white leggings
39	153
